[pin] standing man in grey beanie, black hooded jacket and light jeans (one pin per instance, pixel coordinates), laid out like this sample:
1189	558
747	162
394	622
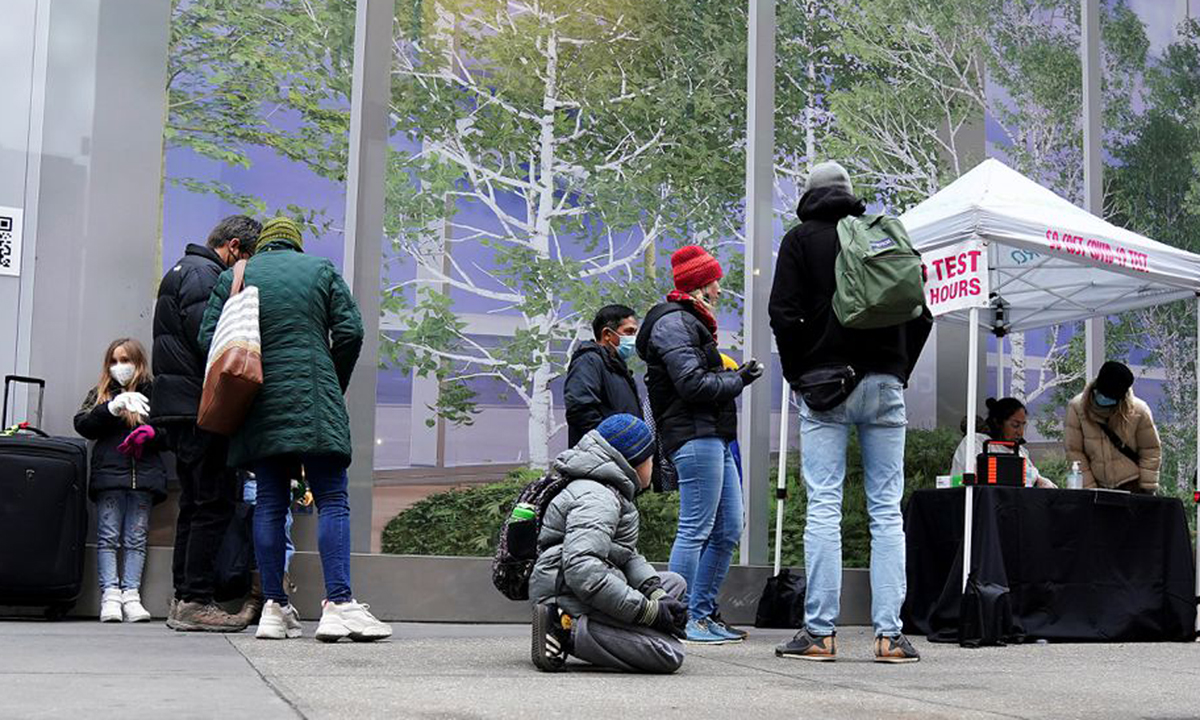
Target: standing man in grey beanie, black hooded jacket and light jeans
811	338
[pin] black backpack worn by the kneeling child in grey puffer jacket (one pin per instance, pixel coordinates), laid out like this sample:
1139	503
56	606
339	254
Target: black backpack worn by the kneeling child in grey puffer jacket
518	549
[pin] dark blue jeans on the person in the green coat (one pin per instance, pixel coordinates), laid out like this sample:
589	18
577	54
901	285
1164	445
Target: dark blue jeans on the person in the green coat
327	478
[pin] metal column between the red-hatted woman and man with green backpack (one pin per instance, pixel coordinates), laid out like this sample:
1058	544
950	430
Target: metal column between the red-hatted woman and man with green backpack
755	427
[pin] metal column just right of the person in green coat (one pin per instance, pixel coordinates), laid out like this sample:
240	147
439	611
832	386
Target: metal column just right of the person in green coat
364	241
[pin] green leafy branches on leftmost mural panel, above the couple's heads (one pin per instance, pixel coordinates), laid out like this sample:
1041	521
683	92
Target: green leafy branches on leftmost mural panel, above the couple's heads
247	75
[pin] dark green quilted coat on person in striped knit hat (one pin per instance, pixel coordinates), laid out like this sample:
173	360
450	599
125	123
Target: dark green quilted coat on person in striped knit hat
313	334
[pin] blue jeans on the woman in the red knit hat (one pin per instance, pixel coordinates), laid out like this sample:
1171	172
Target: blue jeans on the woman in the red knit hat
710	520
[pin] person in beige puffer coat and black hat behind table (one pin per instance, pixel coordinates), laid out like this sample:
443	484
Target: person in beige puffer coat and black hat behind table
1113	436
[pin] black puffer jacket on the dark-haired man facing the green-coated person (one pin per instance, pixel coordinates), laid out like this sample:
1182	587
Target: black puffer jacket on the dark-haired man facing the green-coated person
178	358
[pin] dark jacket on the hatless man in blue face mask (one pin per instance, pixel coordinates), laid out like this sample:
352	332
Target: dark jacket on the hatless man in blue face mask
598	386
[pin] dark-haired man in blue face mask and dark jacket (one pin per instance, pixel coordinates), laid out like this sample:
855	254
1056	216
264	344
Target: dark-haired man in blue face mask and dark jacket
598	382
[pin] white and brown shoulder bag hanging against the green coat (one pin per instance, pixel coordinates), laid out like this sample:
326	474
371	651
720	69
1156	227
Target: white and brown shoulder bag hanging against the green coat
233	375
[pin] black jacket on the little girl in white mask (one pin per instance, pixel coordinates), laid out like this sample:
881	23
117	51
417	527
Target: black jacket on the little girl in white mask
110	469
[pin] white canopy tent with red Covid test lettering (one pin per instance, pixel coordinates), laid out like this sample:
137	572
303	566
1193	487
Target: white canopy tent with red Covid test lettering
1042	260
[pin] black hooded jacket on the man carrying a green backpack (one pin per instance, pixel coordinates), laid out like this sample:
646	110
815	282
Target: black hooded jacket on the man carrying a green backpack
807	332
